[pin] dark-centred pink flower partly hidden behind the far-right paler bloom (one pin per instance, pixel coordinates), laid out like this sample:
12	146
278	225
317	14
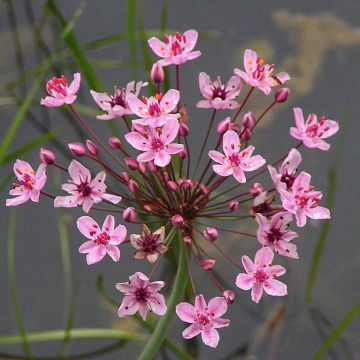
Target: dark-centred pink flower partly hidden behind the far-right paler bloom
285	178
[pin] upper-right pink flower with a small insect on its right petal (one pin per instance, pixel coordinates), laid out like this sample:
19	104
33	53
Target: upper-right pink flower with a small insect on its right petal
258	75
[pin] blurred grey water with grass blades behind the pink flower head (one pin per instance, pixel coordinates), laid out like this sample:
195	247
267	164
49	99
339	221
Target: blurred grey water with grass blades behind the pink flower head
45	283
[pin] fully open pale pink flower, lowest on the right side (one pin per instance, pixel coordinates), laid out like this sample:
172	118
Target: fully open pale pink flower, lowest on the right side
261	275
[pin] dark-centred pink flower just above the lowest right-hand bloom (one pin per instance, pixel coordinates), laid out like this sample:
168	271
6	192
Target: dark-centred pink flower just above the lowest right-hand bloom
275	234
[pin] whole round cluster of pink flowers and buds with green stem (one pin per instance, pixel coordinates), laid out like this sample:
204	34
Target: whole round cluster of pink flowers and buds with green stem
176	201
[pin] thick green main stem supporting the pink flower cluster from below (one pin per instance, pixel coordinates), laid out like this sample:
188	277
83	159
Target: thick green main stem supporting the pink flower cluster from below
176	295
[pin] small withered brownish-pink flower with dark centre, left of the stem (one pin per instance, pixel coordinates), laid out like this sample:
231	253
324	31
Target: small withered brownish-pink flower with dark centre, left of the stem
149	244
